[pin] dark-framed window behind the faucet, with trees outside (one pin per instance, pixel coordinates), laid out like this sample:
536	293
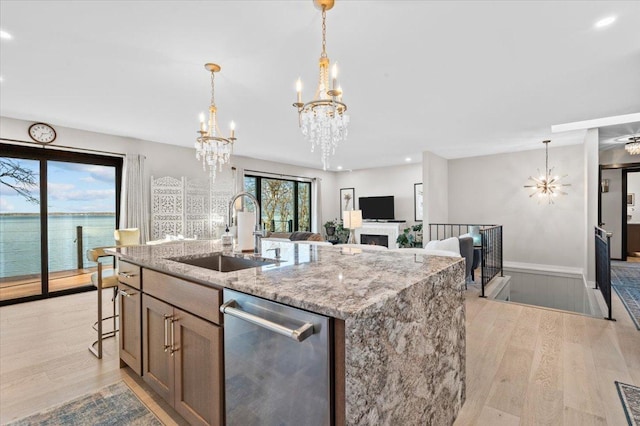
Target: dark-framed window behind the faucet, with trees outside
285	204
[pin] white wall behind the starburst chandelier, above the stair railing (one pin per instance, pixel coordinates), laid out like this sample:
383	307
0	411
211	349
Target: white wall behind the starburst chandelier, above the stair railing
490	190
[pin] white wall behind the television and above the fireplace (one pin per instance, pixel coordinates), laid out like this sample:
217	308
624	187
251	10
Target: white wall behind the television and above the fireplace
397	181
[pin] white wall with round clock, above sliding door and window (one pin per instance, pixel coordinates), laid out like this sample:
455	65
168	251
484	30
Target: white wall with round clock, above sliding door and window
167	160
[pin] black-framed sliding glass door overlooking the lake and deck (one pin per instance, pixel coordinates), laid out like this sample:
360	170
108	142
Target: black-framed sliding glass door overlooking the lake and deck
55	206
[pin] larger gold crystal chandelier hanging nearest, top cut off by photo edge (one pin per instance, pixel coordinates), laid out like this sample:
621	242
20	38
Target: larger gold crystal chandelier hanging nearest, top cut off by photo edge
323	120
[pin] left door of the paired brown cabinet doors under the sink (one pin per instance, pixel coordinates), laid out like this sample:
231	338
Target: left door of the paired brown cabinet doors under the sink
157	365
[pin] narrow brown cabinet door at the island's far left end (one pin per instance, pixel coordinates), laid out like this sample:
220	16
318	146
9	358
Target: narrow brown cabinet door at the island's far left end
130	315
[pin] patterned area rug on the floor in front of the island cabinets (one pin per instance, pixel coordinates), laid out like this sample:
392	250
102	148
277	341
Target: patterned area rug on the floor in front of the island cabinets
112	405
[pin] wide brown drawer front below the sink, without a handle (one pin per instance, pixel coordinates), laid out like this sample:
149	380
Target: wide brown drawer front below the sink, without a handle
196	298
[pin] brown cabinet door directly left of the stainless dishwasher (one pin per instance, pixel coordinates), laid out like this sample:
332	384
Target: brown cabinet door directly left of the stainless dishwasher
198	369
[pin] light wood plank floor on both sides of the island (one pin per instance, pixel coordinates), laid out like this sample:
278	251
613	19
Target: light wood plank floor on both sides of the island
525	365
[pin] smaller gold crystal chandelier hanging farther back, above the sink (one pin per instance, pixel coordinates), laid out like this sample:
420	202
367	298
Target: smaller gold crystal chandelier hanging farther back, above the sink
212	149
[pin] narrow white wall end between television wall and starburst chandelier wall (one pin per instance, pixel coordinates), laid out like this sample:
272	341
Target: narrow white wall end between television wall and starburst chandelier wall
436	188
